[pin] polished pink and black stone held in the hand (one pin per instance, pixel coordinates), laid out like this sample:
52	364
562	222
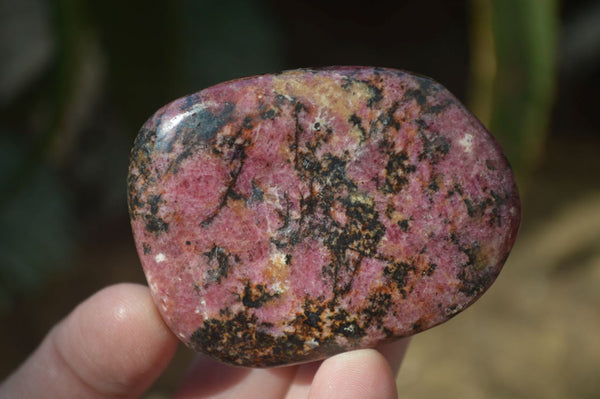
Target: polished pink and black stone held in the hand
288	217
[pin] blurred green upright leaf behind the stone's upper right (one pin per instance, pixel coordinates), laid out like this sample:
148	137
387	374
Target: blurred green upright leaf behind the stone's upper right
514	46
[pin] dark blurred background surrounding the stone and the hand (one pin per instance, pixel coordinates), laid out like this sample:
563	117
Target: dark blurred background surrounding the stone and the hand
78	79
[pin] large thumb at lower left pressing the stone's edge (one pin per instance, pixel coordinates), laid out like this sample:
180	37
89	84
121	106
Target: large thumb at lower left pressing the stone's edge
113	345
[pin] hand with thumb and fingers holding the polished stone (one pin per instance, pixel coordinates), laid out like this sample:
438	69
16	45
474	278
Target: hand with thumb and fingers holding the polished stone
114	345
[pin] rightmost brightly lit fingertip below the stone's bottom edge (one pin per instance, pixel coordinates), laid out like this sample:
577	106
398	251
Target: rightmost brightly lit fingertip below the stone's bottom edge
357	374
